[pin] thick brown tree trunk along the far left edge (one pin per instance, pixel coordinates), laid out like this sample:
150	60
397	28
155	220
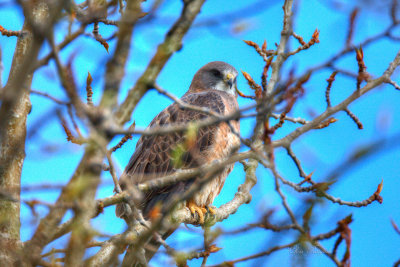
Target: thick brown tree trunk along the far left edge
15	107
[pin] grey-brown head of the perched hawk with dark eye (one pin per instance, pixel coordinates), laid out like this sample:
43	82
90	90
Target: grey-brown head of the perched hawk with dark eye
216	75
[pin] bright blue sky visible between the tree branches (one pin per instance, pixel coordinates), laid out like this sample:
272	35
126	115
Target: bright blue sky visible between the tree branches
51	160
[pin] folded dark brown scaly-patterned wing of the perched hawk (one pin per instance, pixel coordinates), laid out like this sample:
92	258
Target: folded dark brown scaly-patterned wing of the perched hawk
153	156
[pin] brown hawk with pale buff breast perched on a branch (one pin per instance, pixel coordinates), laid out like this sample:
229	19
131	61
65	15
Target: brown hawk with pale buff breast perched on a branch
213	87
